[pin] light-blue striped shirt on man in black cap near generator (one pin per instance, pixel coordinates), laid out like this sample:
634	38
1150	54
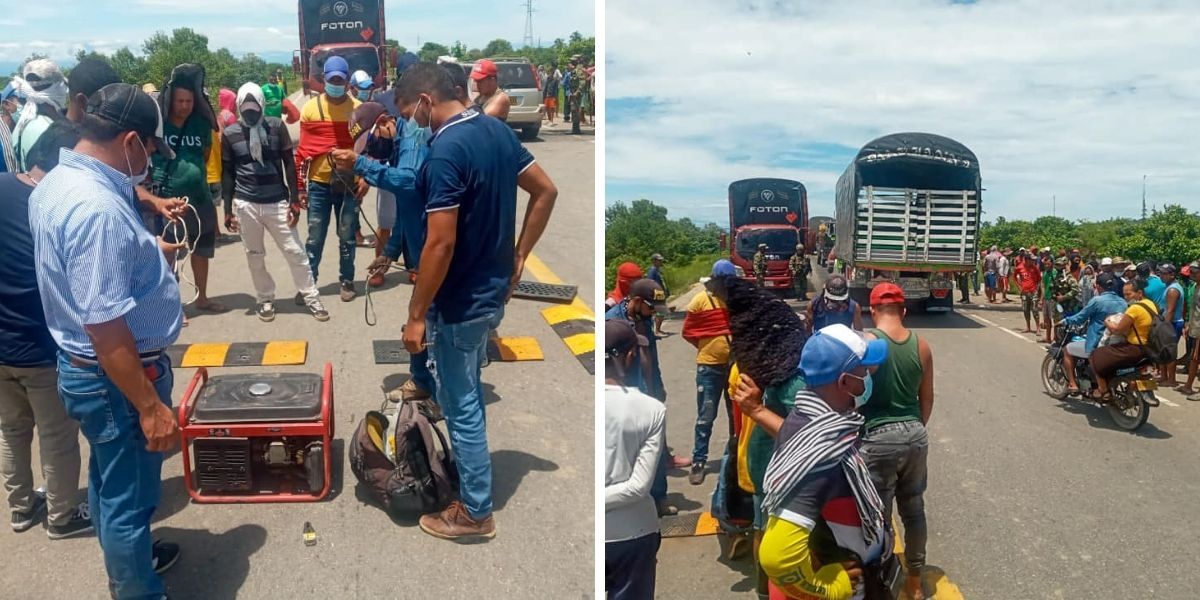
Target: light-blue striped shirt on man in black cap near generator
97	262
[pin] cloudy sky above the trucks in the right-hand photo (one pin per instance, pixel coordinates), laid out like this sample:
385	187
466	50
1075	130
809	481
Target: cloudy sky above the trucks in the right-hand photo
1067	105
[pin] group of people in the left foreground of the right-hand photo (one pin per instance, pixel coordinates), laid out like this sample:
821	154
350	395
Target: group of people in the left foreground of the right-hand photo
827	430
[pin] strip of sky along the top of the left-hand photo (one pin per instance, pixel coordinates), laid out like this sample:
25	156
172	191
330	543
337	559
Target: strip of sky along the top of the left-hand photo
268	28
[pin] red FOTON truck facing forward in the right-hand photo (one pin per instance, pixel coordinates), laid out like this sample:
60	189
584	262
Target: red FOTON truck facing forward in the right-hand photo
772	212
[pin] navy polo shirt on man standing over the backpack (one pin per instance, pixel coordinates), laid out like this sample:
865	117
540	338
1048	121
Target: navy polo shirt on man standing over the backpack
473	166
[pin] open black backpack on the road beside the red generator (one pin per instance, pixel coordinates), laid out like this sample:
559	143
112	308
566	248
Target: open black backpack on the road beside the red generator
422	479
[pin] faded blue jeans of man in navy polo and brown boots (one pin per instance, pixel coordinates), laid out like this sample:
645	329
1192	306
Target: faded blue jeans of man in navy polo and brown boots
458	350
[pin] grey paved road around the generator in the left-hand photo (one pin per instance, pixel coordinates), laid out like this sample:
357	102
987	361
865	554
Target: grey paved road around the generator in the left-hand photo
544	472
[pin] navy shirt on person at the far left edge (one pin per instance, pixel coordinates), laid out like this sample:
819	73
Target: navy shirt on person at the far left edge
25	340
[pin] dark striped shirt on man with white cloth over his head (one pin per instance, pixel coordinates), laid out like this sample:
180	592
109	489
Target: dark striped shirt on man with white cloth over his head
257	182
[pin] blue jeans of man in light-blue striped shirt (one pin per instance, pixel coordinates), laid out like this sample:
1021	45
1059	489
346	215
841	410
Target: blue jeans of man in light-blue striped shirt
124	479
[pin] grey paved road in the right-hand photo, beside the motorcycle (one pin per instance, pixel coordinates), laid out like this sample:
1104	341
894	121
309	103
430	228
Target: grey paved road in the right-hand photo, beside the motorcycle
1030	499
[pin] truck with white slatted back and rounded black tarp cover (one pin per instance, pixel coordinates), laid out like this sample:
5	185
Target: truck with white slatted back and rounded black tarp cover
908	212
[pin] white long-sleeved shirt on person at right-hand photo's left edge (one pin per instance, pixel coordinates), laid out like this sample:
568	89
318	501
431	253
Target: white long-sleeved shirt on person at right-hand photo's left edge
634	431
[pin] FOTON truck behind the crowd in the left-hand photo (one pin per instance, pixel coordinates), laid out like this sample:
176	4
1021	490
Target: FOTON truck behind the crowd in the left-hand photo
351	29
